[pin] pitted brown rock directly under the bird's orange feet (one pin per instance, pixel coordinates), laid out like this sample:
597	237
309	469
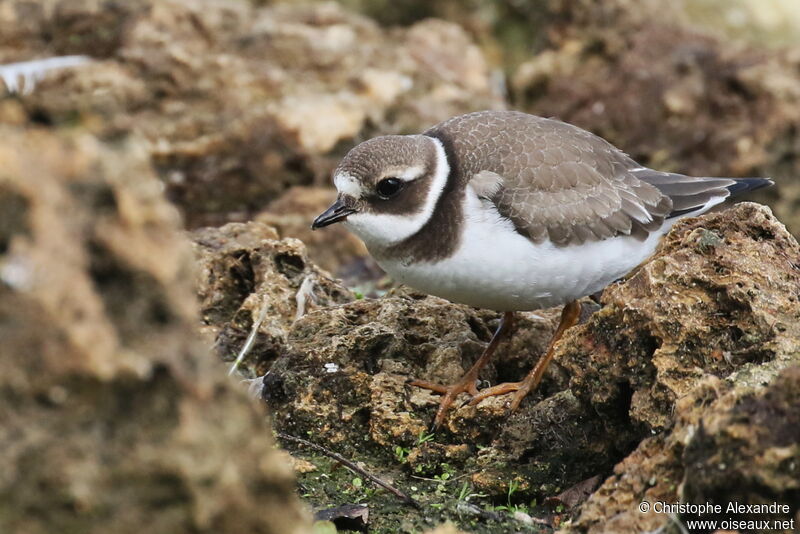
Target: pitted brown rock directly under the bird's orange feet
376	346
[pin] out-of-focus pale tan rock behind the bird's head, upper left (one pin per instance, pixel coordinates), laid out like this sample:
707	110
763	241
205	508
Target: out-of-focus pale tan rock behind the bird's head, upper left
240	101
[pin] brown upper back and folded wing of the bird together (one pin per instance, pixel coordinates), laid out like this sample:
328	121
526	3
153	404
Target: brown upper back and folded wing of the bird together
558	182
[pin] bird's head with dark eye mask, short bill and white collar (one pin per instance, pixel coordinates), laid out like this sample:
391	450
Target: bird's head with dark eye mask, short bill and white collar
388	188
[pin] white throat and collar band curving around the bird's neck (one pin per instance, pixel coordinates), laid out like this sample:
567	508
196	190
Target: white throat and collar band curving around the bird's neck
383	230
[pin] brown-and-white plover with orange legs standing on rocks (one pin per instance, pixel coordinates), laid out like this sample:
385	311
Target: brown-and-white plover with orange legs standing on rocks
509	211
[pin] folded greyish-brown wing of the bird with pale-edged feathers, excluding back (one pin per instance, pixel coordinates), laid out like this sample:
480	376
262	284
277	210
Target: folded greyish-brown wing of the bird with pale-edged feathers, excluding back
578	188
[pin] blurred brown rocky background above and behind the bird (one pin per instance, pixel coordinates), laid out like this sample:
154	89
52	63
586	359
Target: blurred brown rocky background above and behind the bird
245	107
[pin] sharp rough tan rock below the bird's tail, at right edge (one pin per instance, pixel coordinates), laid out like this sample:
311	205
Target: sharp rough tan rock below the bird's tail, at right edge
720	293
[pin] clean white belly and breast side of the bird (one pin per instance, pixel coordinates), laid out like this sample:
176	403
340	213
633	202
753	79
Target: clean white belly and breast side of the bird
497	268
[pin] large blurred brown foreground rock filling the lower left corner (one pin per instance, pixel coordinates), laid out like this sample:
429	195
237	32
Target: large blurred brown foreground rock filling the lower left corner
115	416
